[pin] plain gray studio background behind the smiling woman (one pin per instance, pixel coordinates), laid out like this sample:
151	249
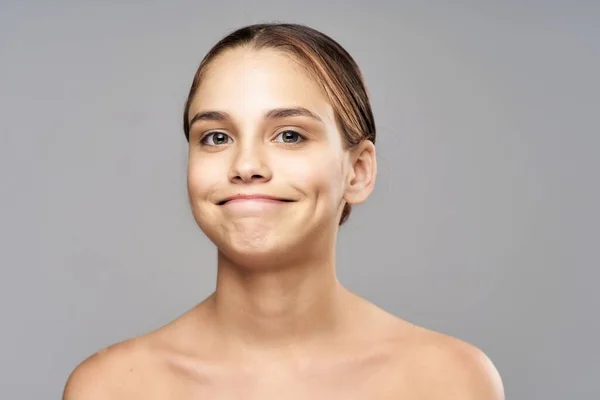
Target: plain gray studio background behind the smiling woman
483	225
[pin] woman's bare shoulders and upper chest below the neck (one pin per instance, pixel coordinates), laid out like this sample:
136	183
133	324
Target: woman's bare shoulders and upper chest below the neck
376	356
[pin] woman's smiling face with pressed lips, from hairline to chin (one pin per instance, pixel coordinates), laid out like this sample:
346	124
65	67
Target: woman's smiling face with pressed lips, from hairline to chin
260	126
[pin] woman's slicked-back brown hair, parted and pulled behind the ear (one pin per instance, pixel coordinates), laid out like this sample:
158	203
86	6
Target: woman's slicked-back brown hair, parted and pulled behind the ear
324	59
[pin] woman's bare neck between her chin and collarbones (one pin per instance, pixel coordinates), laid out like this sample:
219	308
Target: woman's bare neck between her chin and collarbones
280	308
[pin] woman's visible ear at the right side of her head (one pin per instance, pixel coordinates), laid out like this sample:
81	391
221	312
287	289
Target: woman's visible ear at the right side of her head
362	174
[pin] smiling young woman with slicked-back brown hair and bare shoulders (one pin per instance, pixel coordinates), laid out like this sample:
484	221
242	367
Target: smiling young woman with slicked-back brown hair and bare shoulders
281	144
